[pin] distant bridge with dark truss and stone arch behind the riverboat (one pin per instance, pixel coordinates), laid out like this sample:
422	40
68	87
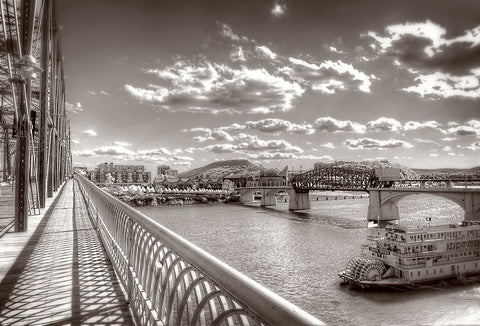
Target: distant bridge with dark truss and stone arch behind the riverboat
385	186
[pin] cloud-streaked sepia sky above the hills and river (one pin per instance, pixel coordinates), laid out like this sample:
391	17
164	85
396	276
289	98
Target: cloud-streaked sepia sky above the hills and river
186	83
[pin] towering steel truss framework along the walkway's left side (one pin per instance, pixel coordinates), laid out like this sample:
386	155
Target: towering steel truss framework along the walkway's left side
34	129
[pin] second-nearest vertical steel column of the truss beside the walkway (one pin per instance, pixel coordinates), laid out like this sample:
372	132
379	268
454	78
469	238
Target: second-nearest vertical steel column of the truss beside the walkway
44	103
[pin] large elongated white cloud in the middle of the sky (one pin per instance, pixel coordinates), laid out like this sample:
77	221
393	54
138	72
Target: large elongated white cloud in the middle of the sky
214	88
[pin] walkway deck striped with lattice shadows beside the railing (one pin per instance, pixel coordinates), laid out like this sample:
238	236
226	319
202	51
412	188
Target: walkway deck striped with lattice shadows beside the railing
57	273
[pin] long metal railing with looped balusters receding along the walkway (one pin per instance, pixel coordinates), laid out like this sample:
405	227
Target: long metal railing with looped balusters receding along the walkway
170	281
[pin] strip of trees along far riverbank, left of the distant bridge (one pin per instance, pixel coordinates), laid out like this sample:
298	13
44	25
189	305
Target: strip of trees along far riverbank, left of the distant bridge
147	196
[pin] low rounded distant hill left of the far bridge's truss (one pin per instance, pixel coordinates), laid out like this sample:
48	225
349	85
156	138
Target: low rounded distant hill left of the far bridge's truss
222	169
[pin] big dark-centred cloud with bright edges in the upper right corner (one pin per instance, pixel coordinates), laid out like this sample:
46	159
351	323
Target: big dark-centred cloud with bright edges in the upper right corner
444	67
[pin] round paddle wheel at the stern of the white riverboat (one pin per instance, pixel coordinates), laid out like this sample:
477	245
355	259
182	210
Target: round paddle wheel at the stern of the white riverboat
363	269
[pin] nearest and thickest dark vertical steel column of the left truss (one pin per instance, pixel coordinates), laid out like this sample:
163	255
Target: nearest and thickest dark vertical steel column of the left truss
23	143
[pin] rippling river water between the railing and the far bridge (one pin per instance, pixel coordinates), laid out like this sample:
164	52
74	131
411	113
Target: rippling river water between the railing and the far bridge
298	255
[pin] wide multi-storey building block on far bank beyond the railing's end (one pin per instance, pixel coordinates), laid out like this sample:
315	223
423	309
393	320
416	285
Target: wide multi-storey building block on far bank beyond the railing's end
122	174
